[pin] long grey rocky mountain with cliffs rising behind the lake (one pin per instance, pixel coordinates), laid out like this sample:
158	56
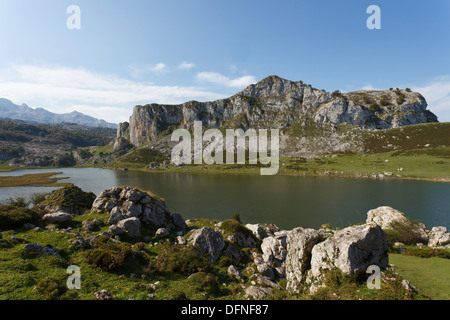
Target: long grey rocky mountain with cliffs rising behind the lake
279	103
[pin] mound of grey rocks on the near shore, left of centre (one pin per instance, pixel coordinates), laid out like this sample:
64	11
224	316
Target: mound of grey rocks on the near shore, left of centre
129	208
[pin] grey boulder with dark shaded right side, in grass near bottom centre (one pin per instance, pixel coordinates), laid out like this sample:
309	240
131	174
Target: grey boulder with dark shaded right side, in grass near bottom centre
208	240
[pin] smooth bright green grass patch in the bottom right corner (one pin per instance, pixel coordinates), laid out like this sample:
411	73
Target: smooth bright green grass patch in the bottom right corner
430	275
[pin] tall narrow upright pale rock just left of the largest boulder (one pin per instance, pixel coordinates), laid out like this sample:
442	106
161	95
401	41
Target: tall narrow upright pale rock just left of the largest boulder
300	243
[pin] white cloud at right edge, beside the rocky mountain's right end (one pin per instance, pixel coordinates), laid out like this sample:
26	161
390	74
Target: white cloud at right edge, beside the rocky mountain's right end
437	95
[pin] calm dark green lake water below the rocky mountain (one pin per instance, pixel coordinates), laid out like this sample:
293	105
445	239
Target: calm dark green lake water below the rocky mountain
286	201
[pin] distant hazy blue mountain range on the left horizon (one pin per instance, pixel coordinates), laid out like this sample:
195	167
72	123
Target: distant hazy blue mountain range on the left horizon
11	111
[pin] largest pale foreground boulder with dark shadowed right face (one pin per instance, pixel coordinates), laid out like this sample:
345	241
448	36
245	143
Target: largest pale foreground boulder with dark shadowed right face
351	250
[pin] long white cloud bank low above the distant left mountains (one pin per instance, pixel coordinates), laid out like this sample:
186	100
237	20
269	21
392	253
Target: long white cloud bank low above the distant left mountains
105	96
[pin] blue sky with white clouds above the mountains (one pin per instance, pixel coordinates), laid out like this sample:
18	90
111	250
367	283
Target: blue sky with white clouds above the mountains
172	51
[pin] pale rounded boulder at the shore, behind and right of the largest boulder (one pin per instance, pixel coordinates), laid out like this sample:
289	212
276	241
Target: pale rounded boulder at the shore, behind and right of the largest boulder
391	219
